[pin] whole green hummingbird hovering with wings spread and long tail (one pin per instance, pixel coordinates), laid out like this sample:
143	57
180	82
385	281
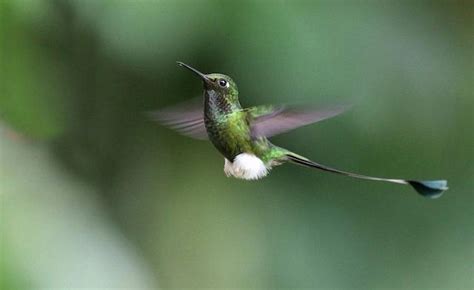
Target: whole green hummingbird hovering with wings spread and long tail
241	134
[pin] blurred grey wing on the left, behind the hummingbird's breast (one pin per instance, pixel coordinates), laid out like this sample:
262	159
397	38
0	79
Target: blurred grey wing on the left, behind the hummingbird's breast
186	118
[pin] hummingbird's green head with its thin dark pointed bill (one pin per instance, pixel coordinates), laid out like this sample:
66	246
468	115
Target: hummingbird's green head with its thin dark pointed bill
215	81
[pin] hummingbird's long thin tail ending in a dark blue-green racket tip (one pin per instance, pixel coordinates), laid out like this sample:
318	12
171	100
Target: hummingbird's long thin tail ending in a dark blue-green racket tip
427	188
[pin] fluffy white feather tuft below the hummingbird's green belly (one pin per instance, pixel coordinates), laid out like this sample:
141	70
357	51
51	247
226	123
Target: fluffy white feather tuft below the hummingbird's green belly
246	166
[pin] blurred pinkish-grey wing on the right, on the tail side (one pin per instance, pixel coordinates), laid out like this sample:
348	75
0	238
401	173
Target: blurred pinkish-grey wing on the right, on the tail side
273	120
